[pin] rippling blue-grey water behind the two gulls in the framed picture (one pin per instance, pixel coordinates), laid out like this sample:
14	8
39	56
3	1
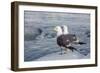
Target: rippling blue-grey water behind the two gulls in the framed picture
40	39
